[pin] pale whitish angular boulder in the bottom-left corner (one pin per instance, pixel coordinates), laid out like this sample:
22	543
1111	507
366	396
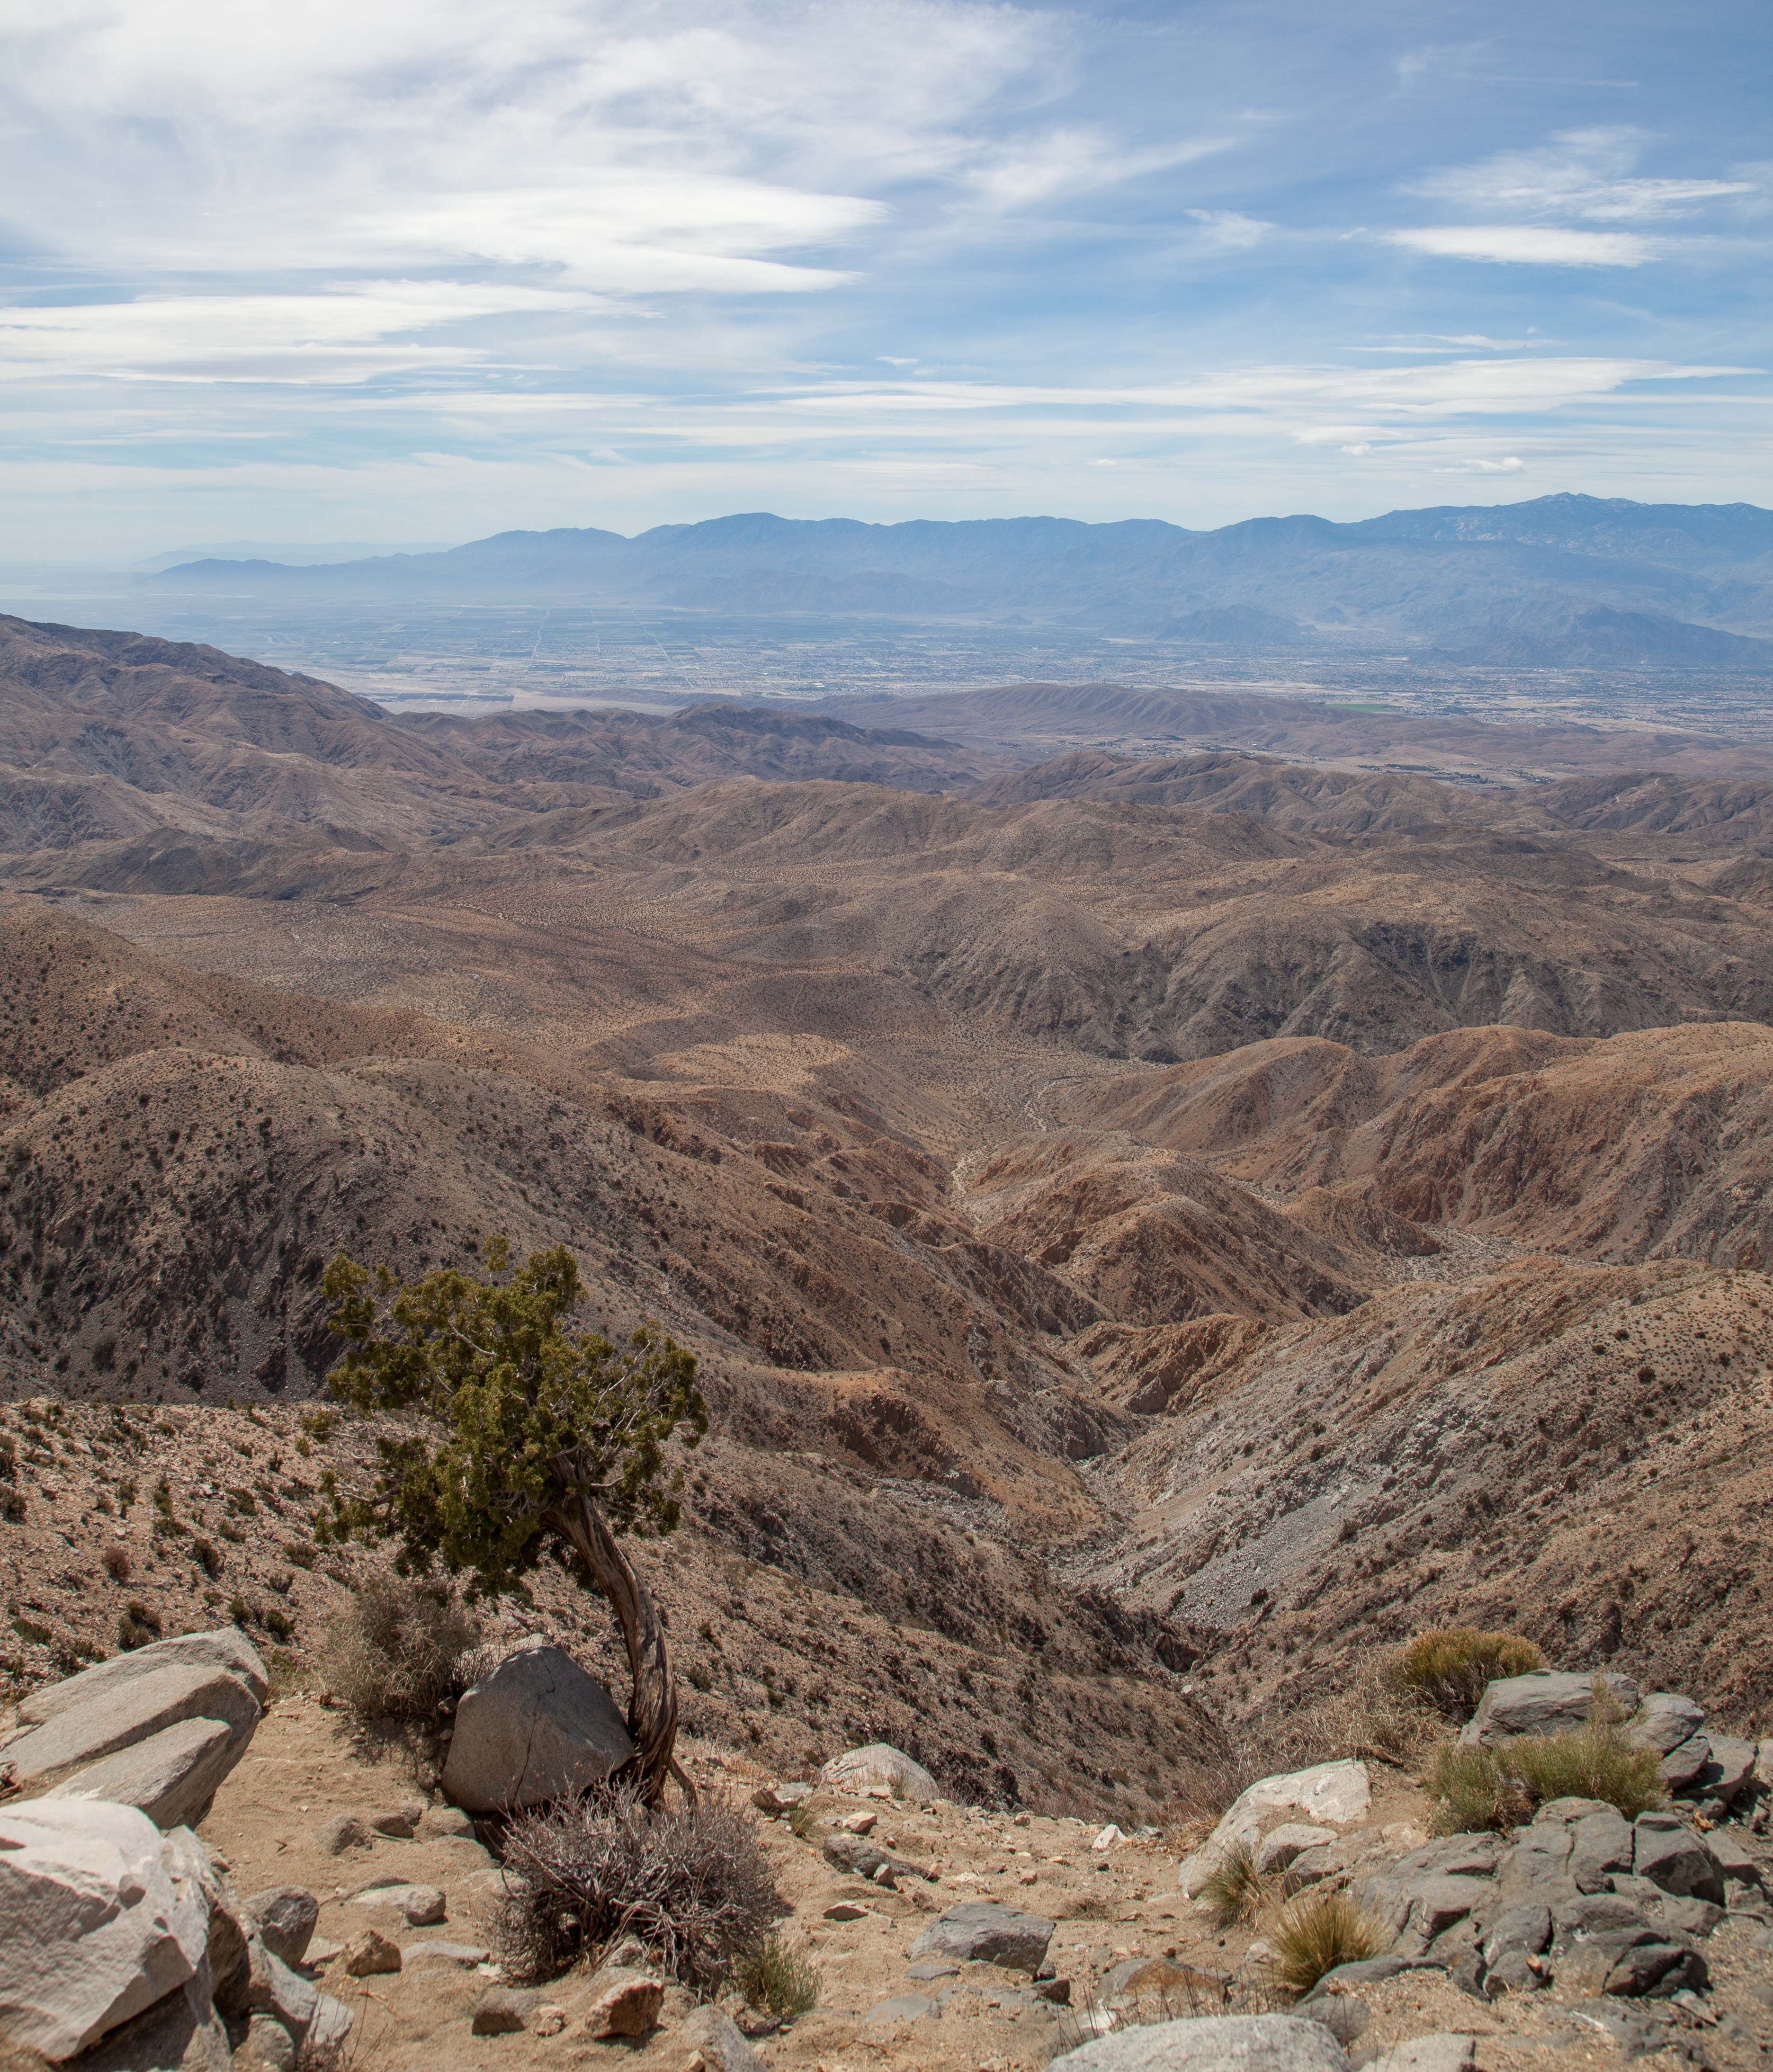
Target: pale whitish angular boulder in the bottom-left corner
100	1918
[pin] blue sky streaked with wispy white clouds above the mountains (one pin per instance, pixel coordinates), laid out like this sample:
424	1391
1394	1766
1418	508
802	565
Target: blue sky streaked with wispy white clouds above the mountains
434	268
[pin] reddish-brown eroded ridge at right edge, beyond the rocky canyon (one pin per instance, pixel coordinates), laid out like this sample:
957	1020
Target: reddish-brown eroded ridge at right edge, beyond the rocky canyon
1641	1147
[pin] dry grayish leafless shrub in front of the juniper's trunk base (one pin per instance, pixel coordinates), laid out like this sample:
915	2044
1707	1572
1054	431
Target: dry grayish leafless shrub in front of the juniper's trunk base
693	1882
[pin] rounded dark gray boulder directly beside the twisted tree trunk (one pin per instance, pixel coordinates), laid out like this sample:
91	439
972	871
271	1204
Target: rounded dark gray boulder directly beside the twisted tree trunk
533	1731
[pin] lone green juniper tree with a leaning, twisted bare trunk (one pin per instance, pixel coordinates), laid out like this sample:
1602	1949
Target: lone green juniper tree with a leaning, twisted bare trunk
519	1443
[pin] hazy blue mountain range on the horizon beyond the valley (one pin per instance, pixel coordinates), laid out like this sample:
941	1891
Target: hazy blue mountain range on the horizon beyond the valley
1557	583
